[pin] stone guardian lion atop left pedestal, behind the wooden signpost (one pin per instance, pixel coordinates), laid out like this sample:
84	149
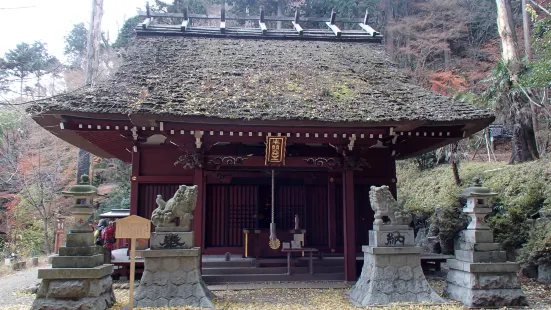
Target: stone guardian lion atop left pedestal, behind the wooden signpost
180	206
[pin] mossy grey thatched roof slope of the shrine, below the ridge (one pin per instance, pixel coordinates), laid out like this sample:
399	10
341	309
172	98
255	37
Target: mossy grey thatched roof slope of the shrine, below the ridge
262	80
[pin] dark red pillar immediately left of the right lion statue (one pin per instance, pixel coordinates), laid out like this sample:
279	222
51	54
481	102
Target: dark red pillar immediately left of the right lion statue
349	233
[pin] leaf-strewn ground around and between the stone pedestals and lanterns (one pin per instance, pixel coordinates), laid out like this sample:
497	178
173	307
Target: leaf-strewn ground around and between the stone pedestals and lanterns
12	296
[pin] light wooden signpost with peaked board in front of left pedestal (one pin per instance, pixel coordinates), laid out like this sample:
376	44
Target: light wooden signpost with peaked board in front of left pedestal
133	227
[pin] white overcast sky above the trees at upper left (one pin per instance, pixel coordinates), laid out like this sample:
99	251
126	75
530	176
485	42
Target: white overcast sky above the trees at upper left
51	20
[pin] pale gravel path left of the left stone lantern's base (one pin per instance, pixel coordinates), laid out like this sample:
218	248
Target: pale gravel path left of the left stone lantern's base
10	285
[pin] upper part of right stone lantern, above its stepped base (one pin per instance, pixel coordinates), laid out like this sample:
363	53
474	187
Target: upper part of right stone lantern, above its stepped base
477	204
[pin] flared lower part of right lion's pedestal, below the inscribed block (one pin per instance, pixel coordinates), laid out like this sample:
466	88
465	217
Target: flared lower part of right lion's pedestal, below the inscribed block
391	278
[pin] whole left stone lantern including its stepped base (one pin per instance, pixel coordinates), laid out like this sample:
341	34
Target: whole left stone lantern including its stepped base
78	279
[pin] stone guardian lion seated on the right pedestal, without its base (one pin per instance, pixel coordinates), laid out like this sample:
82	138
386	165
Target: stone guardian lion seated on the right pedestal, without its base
385	205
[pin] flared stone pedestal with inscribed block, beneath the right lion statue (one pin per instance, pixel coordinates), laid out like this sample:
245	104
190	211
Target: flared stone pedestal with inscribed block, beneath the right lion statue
392	270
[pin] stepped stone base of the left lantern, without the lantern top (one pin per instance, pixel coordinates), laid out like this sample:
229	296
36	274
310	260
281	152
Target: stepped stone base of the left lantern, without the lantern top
78	278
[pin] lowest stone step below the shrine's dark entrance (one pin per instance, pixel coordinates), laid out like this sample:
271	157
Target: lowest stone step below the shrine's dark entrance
218	279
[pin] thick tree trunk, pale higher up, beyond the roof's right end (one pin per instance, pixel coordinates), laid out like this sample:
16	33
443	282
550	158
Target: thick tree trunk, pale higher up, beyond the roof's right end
524	140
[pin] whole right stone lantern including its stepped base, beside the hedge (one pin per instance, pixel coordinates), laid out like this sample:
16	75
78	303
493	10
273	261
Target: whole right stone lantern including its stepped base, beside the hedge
480	275
